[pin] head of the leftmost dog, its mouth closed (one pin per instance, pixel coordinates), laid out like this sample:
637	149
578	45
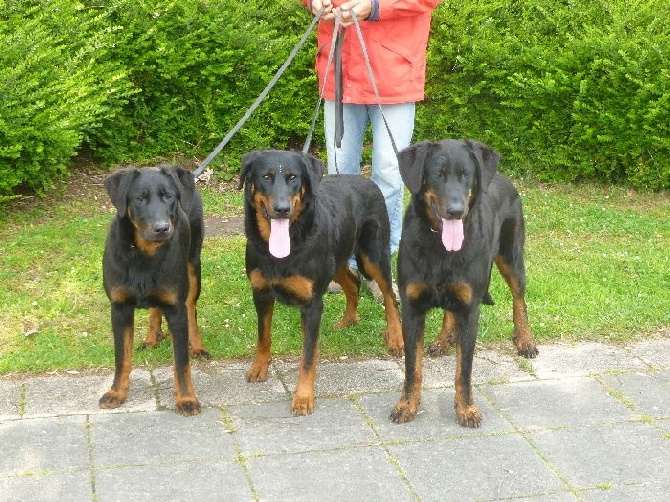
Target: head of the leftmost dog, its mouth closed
150	198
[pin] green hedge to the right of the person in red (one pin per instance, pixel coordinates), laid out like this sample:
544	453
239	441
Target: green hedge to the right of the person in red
567	90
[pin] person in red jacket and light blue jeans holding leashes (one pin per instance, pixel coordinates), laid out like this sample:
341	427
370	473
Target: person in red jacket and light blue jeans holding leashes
395	33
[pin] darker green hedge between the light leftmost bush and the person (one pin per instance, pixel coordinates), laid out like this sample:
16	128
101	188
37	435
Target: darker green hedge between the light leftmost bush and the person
198	65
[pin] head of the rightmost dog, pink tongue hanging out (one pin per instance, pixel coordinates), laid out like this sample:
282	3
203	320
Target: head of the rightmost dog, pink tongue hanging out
445	179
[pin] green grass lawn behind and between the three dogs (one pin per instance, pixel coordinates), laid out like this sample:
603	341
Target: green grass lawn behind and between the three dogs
597	261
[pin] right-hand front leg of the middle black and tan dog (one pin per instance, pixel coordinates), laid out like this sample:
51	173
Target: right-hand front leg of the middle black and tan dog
303	398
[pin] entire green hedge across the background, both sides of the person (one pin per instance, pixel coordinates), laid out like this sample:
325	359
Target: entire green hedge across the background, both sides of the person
566	90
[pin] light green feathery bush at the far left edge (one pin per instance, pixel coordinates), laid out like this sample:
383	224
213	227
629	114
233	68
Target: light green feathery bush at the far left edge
57	84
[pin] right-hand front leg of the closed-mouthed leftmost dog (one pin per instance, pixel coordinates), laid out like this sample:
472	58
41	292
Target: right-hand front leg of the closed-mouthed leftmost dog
187	403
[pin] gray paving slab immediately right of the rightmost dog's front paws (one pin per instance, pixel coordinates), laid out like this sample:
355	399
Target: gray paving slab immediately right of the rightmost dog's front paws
557	403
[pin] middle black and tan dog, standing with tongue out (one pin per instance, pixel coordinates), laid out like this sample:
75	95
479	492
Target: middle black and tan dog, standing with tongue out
301	230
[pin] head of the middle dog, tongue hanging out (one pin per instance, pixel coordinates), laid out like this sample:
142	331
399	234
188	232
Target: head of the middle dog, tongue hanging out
279	187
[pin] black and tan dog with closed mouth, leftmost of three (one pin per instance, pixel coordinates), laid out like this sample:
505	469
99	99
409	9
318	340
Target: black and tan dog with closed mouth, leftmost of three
152	260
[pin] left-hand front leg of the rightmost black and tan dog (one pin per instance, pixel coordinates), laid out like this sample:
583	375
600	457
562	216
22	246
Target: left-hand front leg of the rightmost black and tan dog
413	327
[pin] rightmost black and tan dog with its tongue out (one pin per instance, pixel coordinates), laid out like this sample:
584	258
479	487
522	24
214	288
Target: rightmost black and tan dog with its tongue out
463	217
